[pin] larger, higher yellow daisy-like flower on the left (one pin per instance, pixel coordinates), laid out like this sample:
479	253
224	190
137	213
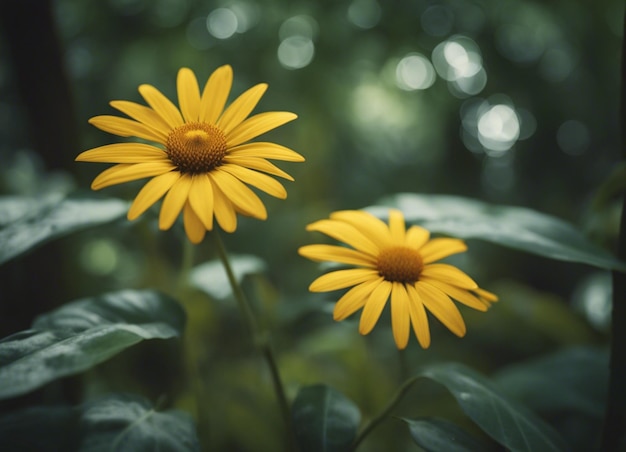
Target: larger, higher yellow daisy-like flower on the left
202	160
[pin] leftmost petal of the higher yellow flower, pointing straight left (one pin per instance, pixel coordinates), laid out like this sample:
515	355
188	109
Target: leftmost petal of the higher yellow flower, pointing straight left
123	153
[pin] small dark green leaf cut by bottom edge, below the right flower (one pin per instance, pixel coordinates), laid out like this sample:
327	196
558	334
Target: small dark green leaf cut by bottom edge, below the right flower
436	435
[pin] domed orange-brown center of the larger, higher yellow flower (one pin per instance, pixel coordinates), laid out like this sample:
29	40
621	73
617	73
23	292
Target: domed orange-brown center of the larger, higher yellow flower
196	147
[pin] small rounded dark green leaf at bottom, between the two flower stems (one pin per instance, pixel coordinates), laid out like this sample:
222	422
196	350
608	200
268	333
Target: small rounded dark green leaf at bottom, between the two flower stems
324	419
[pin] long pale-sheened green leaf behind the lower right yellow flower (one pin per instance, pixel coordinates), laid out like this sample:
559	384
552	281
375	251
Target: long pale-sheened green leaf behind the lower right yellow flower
514	227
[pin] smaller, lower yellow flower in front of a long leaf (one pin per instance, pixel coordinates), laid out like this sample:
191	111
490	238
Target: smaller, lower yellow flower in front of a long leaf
393	260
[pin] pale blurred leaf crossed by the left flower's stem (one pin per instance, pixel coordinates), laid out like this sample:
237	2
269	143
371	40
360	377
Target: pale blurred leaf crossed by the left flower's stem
211	278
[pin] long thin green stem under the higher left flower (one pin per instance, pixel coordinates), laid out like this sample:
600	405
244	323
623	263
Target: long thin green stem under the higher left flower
260	338
